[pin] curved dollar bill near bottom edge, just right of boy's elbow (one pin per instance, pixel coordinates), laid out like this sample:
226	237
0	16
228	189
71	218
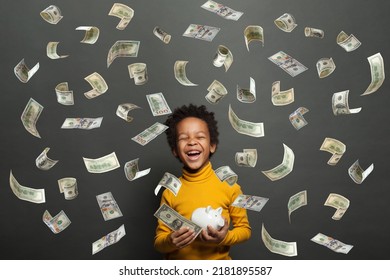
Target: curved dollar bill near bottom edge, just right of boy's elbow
288	249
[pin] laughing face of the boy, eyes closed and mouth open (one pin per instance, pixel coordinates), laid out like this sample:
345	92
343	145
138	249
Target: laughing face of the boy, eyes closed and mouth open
193	143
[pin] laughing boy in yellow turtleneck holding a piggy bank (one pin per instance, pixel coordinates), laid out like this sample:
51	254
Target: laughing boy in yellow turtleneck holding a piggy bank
193	137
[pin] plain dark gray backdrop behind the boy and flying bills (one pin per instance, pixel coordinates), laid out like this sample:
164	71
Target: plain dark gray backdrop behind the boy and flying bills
25	35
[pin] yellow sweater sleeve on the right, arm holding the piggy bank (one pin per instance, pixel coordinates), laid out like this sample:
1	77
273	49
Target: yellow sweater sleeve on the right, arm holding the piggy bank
241	230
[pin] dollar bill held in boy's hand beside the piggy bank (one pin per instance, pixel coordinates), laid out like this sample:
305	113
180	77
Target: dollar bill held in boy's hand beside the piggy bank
174	220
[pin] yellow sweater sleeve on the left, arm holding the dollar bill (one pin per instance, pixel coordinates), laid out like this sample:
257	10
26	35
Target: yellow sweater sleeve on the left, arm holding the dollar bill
161	239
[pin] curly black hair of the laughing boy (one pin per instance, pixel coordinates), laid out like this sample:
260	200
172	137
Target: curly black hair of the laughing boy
191	110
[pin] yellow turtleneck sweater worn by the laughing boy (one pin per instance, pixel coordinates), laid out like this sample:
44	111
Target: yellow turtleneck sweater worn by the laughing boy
202	189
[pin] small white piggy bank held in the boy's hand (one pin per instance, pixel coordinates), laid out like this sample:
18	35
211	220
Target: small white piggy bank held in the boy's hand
208	216
